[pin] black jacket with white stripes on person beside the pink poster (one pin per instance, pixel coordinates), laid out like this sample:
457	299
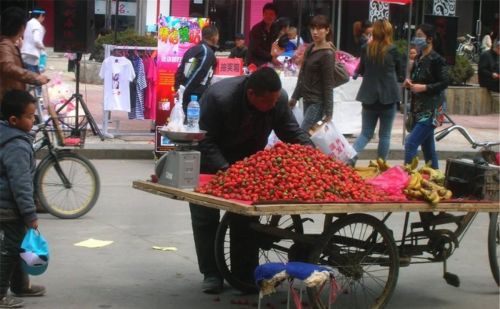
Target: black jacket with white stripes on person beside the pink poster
199	77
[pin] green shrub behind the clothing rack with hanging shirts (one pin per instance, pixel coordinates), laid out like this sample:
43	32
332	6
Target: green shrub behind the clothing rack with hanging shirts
128	37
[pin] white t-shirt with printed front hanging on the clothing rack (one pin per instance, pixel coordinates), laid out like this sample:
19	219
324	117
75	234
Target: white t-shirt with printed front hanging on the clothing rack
117	73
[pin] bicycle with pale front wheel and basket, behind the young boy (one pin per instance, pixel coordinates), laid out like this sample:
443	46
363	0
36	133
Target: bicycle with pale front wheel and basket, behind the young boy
66	183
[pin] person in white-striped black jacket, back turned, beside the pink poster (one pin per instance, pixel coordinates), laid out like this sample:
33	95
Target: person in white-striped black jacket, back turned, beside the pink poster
197	66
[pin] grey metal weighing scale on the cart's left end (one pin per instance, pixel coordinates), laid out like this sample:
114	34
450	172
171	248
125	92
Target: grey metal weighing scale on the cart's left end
180	167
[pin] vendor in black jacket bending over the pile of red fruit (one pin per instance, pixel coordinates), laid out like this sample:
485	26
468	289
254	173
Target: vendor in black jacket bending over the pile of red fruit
238	114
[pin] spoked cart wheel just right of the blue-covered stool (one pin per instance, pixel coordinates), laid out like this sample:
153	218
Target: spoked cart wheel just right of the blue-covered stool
364	256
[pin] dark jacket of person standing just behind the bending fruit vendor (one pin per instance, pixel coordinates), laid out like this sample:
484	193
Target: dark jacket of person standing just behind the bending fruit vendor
261	41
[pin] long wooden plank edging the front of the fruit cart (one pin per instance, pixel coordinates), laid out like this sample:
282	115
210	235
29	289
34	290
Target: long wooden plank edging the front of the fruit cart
291	209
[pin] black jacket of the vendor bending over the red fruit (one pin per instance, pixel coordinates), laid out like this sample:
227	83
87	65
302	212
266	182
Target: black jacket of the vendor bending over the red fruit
236	130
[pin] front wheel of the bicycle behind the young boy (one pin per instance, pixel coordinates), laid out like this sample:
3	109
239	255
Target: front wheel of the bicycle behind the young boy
73	199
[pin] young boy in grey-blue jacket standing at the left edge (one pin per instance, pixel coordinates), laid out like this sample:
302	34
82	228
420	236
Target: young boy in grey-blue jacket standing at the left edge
17	208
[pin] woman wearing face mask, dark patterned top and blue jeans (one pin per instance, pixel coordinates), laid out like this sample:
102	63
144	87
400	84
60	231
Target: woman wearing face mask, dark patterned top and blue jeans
429	79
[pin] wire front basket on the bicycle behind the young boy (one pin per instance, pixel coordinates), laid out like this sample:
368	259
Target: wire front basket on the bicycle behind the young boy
70	135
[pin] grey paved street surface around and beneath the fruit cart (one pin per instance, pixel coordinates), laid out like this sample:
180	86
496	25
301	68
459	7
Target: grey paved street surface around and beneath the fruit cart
130	274
